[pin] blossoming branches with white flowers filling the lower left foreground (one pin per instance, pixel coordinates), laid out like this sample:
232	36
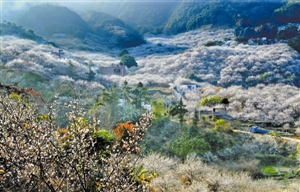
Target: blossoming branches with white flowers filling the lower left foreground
38	155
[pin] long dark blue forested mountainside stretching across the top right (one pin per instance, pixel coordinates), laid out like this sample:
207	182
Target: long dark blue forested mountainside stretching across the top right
173	17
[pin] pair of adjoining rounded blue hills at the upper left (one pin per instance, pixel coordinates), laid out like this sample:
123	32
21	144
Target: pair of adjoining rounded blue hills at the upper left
50	20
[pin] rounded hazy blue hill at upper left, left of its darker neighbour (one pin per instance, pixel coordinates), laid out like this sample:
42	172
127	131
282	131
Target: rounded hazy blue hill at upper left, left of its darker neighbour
47	20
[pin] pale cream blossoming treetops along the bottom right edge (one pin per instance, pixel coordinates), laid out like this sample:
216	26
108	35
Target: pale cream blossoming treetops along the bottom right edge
195	176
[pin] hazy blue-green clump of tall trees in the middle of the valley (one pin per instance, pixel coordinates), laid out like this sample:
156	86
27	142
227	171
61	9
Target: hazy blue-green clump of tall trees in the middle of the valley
119	103
